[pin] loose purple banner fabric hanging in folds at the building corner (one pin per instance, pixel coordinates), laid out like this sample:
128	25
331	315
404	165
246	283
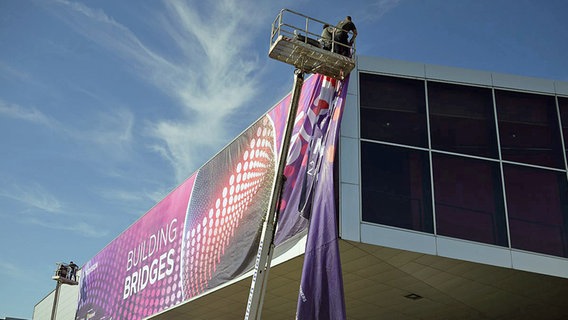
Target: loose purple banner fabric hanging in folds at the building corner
321	288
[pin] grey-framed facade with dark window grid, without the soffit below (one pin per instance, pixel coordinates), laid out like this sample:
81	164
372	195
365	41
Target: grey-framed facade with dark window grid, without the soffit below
455	162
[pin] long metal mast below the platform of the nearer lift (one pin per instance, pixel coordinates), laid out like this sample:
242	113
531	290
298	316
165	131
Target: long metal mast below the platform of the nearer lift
264	255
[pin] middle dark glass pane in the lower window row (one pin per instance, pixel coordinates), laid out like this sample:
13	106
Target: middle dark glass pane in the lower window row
469	199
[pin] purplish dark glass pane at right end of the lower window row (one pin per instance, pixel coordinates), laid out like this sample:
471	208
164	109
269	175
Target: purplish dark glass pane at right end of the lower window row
537	205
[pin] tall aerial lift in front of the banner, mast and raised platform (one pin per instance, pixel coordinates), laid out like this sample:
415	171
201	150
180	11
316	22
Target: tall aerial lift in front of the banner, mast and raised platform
296	40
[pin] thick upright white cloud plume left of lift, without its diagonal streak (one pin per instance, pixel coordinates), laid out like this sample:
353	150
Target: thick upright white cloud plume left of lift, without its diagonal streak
225	82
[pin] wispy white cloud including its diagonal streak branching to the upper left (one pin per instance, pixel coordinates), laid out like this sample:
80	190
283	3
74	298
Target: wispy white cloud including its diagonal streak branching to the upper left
209	71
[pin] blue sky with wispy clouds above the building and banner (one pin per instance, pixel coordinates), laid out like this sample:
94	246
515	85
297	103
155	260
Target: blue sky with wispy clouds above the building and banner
106	106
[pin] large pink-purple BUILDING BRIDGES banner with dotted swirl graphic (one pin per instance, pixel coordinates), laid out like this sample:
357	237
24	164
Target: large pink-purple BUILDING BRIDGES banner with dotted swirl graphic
206	231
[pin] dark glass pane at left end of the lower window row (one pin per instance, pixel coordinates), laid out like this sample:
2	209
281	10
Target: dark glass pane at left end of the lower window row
396	187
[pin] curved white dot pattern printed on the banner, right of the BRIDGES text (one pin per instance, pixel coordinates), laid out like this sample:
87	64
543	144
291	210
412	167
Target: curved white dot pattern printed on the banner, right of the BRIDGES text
245	184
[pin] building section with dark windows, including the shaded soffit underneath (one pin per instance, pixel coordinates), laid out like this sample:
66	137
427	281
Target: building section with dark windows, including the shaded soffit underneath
463	172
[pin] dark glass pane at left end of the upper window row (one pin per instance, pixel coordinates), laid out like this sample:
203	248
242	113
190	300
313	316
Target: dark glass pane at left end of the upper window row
393	109
